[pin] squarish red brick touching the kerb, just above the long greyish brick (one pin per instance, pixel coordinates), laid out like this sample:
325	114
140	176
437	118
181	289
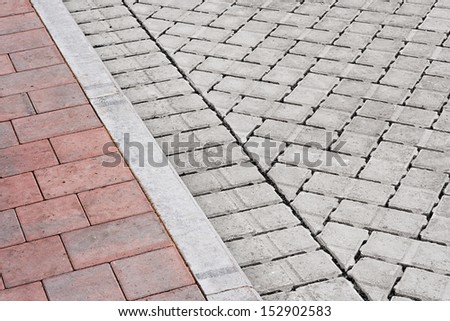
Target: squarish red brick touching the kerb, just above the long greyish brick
113	202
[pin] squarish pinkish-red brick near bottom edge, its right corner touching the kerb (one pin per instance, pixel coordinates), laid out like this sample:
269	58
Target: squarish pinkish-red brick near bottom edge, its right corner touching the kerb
151	273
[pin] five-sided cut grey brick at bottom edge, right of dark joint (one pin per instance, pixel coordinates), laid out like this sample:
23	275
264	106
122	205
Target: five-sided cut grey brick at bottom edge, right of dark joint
376	278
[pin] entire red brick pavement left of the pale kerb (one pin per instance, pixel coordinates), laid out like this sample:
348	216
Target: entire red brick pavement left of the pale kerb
70	228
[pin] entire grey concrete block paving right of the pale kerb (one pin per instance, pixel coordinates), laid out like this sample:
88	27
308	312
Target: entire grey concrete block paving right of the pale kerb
362	82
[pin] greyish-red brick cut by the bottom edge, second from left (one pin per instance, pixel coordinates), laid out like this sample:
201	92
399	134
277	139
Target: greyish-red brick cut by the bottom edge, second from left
96	283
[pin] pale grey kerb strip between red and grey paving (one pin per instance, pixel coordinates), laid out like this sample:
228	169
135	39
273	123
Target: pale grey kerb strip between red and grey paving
207	256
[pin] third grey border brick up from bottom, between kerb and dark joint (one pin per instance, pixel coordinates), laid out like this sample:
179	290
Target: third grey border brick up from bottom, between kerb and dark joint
263	248
